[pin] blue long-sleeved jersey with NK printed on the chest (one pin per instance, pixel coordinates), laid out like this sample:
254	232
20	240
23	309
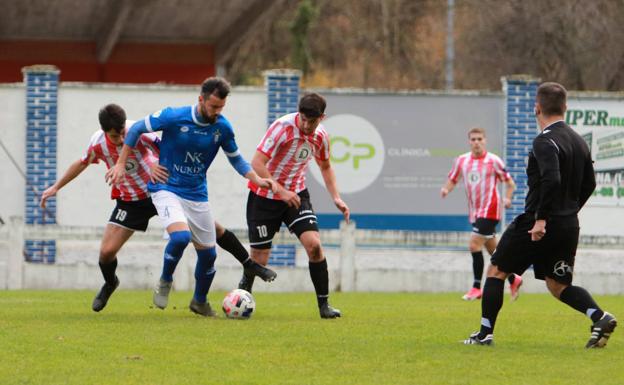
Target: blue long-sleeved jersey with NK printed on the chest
188	147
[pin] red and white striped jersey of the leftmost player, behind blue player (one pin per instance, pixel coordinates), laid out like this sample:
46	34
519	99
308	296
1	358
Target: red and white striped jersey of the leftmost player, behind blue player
134	185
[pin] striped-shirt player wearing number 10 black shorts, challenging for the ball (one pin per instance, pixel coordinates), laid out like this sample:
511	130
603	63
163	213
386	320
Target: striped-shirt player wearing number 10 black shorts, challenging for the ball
283	155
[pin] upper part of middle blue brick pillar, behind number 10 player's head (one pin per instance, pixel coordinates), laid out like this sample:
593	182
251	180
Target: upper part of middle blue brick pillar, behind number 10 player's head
283	92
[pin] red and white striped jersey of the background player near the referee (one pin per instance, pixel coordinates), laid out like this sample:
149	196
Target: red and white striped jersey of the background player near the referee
480	178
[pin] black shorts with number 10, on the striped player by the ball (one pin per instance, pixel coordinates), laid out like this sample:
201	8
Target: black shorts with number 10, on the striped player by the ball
265	216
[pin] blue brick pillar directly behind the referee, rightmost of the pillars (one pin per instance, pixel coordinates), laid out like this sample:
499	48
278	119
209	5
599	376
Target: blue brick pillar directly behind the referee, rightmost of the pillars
520	129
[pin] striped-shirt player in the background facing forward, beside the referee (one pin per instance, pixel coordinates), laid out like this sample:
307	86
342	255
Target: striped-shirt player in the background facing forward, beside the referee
482	171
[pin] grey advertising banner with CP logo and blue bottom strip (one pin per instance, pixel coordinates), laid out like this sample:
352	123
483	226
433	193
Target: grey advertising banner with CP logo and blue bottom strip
392	154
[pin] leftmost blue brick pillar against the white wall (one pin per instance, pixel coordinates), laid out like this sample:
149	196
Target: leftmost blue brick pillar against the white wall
41	133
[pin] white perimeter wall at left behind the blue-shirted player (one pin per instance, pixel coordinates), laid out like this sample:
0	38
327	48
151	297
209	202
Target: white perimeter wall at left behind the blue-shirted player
86	201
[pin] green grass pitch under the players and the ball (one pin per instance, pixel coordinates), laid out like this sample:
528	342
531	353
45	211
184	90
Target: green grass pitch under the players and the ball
53	337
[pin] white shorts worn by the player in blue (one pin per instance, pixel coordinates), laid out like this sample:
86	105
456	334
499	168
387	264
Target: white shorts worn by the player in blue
197	215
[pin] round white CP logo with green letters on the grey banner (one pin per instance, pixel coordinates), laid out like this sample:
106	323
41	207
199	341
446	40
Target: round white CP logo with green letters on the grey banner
357	152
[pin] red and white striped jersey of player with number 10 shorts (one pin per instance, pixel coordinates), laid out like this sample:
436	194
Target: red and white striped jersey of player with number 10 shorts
289	151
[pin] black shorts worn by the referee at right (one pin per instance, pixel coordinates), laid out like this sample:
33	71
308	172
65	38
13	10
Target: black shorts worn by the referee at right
552	256
